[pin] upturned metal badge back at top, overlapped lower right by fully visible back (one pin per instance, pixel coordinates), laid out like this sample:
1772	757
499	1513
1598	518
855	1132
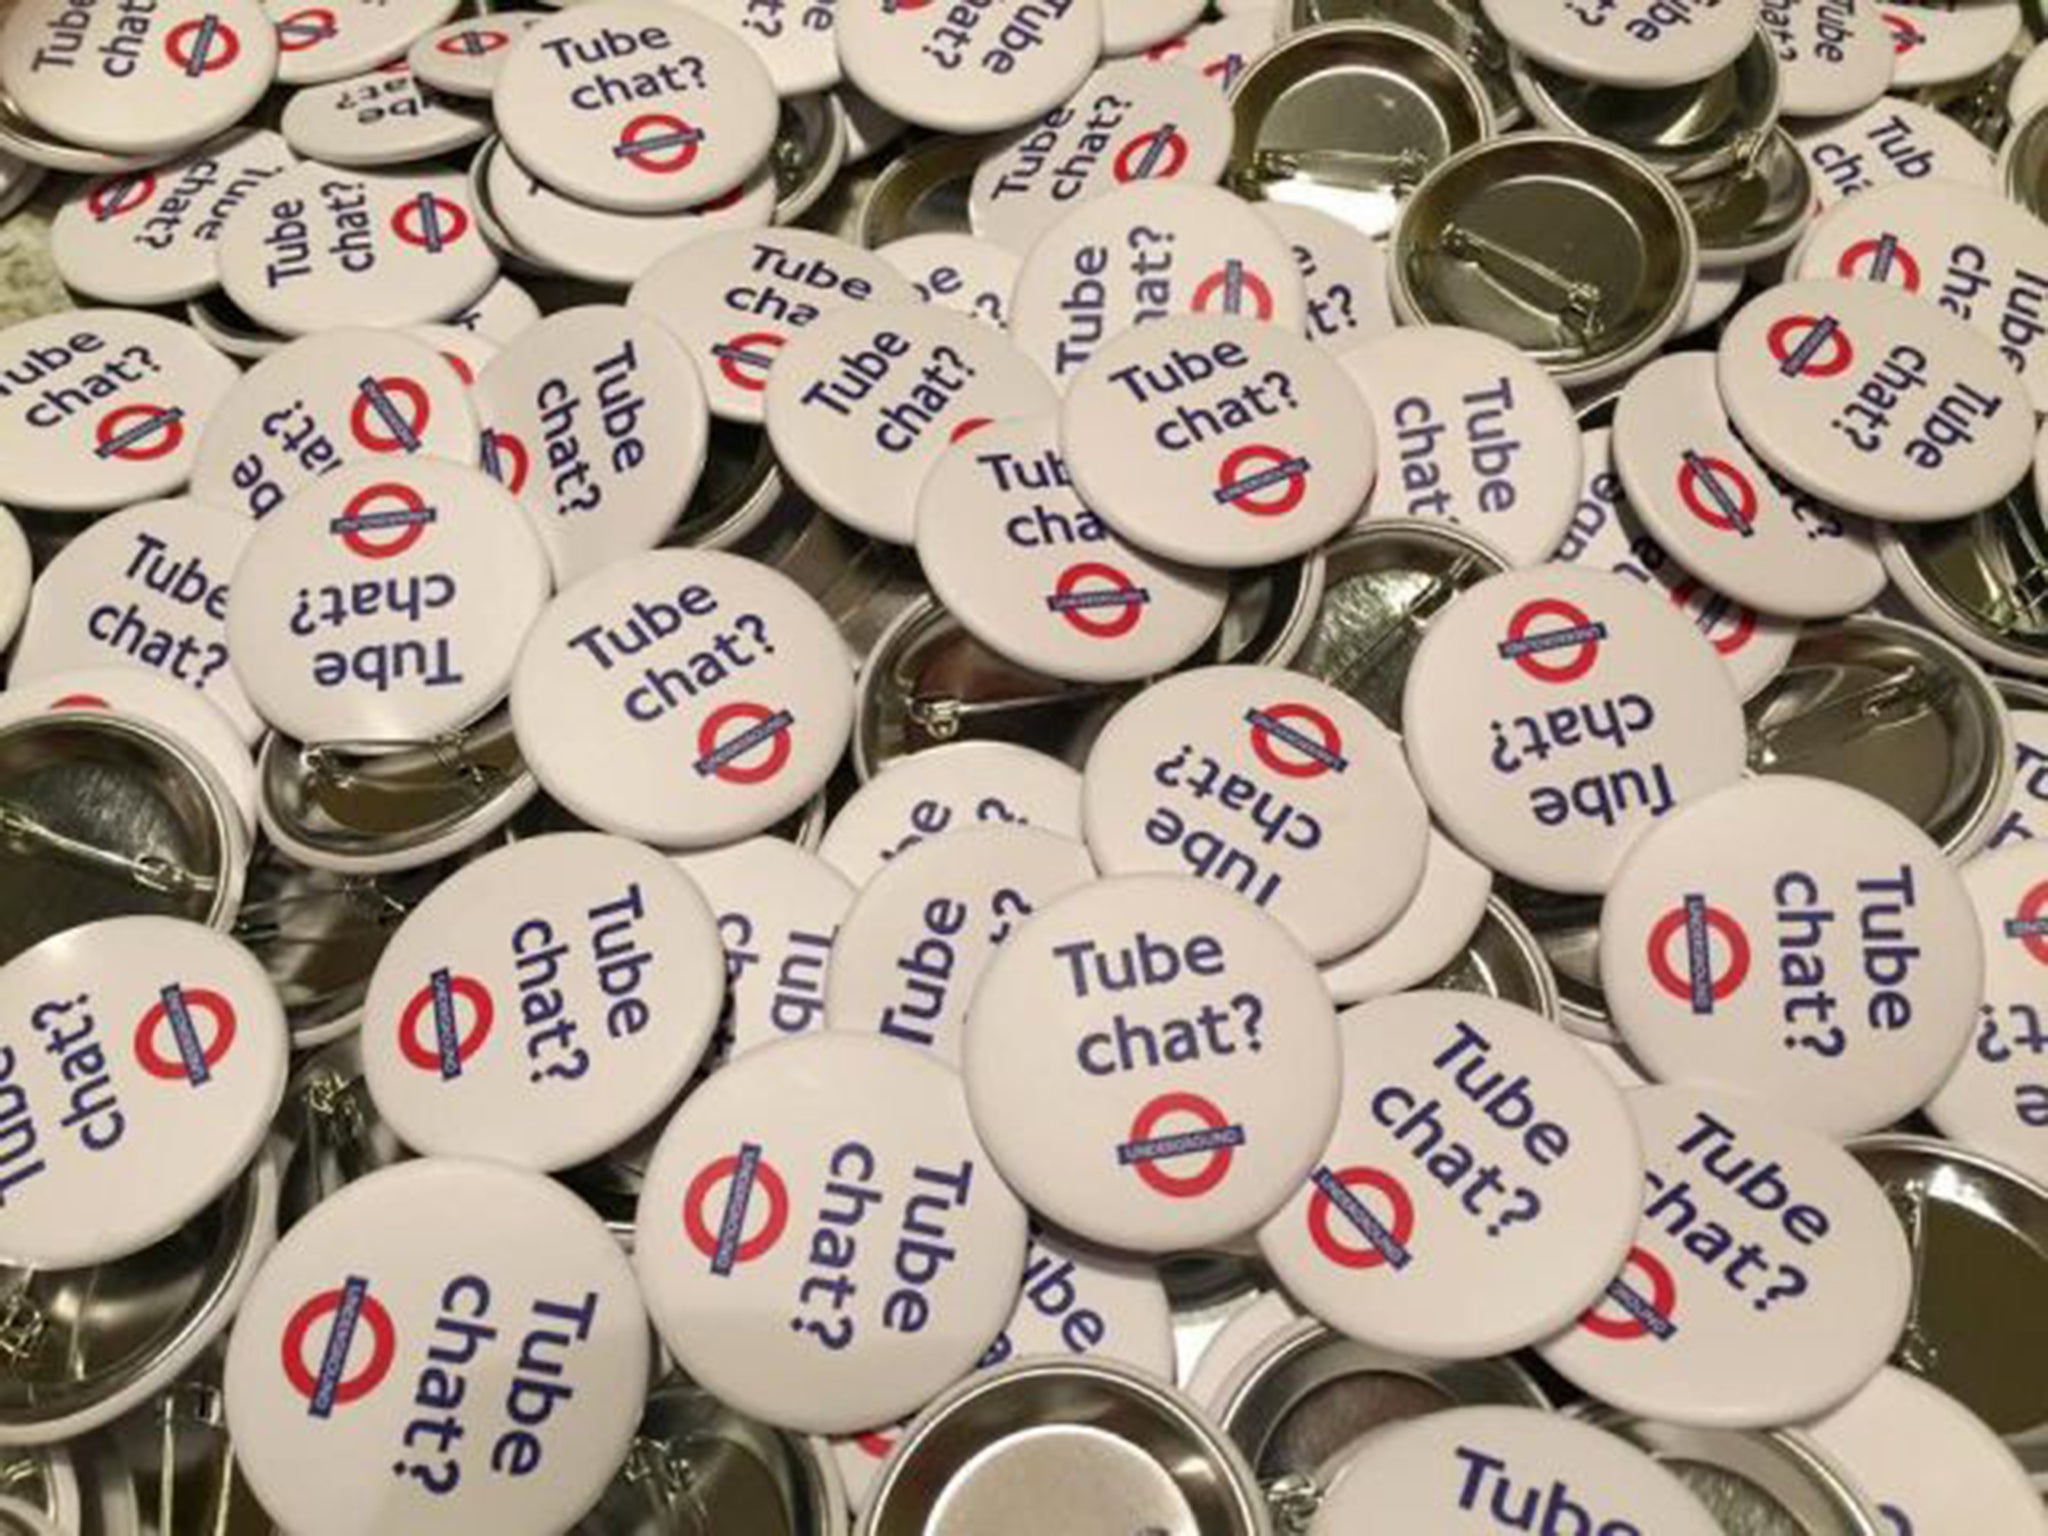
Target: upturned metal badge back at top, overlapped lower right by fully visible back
1351	118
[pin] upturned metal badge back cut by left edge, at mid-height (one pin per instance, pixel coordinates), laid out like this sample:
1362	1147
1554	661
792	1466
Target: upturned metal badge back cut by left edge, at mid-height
103	816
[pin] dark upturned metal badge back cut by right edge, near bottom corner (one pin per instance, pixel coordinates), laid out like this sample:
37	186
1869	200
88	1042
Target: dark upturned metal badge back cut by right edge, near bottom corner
1979	1238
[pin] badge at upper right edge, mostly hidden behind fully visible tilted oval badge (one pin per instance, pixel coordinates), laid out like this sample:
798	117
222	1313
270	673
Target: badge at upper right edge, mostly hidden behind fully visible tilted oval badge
1969	251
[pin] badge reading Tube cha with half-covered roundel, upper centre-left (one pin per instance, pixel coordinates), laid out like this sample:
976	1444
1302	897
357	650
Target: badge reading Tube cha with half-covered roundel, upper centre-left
740	298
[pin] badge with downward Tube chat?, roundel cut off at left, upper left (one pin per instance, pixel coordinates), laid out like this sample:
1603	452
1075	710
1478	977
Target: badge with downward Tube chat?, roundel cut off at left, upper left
597	423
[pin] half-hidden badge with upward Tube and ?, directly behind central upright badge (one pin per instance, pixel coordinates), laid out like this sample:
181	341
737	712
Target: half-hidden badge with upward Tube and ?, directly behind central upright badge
923	933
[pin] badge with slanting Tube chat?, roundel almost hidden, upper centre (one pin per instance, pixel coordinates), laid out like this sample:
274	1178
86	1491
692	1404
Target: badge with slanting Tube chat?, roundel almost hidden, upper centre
867	398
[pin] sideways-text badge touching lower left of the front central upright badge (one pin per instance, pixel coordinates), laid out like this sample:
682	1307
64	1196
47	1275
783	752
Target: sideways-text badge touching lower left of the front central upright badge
822	1238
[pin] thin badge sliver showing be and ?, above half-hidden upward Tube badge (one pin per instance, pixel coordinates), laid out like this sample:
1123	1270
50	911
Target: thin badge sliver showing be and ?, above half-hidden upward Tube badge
949	790
